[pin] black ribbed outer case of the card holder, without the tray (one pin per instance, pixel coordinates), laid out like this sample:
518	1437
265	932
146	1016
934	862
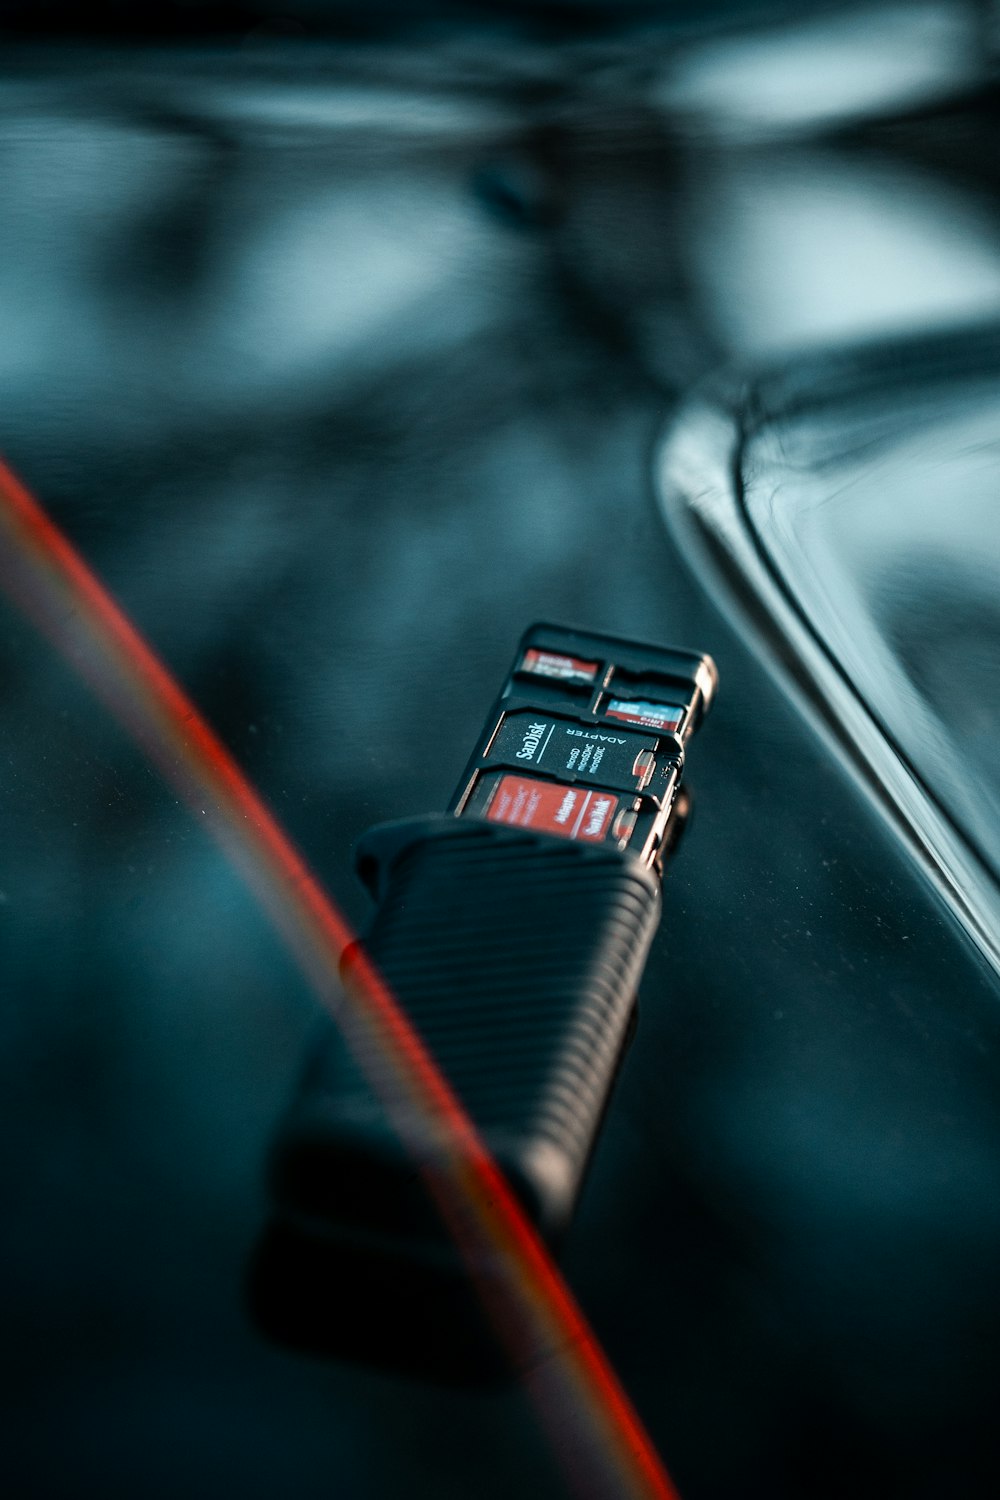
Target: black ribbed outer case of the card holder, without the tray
518	959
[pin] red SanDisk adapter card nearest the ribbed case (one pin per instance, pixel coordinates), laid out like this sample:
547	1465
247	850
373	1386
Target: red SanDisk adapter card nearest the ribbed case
554	808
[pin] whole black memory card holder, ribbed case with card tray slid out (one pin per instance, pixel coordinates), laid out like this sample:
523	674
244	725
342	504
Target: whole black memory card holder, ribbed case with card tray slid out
515	944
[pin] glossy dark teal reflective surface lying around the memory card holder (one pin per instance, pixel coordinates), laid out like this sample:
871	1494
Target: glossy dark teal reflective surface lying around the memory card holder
341	370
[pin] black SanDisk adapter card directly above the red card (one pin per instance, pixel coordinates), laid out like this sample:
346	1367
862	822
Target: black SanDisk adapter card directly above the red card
581	751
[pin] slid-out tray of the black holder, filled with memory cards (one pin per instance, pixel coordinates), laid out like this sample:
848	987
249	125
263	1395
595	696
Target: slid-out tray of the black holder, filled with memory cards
587	739
